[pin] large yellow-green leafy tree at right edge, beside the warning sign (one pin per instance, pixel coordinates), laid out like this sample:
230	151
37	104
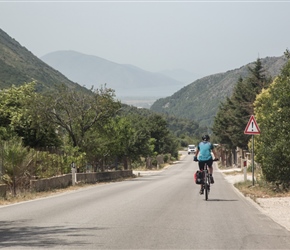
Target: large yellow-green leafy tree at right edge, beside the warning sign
272	108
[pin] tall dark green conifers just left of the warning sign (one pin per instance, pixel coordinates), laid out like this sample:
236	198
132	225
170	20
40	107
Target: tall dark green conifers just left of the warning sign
232	117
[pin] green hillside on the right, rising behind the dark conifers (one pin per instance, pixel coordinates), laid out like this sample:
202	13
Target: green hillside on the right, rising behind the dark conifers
200	100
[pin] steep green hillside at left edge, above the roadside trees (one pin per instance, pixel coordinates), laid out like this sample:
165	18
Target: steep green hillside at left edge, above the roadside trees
18	66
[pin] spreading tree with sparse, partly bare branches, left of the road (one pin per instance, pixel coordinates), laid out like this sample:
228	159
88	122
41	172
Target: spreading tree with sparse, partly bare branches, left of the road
76	113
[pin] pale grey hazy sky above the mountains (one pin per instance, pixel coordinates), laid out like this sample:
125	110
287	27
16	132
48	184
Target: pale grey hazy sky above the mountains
203	37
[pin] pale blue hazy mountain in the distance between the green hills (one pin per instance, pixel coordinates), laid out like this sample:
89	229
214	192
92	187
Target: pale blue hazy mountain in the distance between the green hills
126	80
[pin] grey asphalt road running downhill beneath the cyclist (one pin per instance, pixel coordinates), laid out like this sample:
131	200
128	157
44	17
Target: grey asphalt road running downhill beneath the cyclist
162	210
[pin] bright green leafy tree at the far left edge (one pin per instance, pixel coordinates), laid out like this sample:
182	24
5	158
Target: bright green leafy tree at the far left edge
19	116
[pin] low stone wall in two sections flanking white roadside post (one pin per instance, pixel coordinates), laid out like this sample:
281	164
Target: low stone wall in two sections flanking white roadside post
66	180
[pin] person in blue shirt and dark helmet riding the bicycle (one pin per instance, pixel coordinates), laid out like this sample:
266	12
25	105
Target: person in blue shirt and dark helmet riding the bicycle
203	156
